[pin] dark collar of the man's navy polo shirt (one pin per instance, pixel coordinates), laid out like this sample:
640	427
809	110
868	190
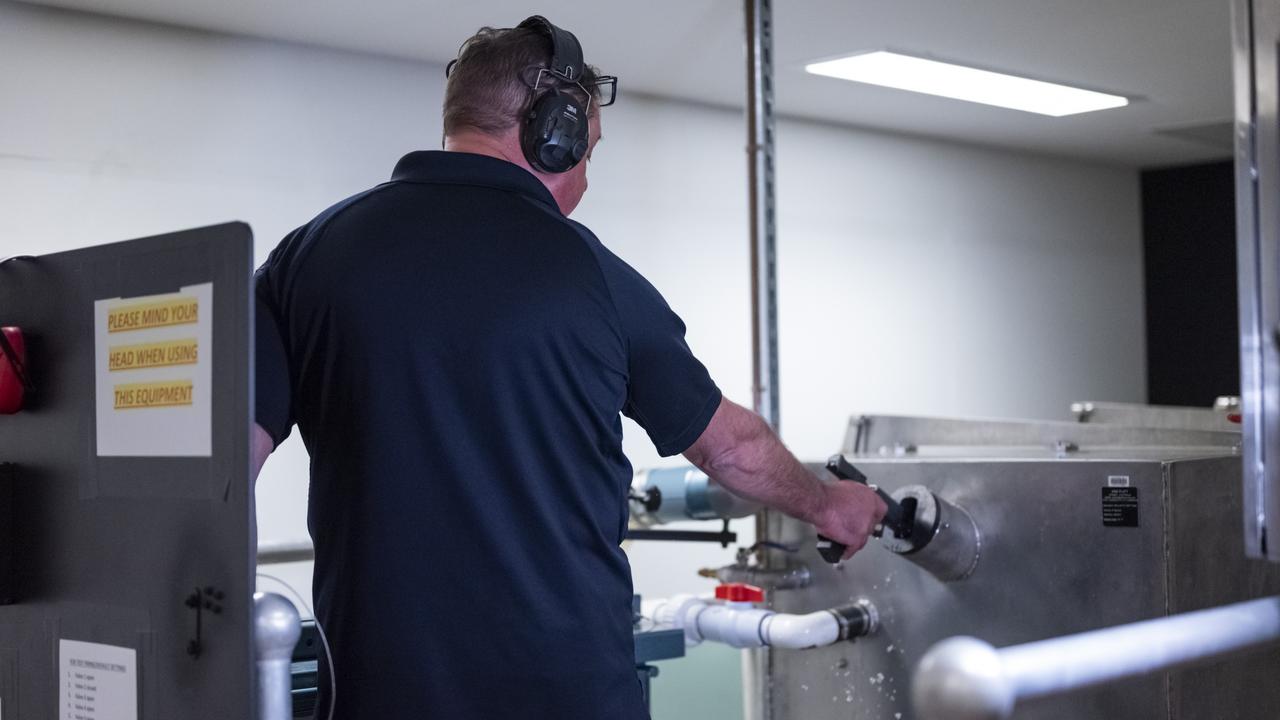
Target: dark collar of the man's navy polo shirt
468	168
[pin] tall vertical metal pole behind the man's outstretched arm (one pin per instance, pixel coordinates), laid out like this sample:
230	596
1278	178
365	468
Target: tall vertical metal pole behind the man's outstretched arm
757	664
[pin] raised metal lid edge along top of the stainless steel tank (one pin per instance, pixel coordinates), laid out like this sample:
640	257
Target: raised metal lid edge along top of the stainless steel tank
877	434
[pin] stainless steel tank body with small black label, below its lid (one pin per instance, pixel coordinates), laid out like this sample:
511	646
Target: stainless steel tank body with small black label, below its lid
1048	568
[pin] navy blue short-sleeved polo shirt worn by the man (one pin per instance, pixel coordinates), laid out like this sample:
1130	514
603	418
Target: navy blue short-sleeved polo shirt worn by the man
455	354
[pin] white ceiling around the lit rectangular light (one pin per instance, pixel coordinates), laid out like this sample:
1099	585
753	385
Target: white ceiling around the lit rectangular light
1172	57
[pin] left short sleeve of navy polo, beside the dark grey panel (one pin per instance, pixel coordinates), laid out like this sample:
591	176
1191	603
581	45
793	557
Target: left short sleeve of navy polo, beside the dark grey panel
273	404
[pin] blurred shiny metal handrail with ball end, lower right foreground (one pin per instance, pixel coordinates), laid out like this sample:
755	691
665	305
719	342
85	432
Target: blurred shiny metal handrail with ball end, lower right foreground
968	680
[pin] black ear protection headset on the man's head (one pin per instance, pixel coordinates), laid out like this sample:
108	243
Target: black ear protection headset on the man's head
555	135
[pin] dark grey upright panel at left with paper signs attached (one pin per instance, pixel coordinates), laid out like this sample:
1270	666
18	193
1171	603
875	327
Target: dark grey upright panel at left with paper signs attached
111	548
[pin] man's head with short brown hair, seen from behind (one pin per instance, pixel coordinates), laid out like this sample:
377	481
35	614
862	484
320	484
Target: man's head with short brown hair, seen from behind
497	83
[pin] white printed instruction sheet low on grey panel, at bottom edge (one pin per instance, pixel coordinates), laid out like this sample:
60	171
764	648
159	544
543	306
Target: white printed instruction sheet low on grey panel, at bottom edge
97	682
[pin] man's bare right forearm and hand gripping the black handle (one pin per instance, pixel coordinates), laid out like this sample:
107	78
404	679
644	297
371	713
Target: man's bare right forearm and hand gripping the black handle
740	452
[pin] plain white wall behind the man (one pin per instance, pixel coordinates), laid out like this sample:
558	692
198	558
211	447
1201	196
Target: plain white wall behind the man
915	276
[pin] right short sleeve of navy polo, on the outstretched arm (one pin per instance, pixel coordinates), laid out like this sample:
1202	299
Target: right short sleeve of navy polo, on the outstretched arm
670	393
